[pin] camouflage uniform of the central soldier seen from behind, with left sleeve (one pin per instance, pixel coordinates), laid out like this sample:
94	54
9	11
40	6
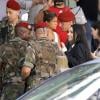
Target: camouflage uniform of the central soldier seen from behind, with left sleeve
41	56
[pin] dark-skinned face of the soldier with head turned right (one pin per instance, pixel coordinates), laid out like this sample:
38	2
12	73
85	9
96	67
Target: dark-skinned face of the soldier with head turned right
23	33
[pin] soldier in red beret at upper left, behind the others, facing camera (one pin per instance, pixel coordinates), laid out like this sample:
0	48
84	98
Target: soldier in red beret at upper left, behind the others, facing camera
8	23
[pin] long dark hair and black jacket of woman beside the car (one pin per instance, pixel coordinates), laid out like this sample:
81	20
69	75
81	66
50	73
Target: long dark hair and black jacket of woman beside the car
79	52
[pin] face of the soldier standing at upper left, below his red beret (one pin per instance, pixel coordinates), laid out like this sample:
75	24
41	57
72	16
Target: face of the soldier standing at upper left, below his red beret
12	14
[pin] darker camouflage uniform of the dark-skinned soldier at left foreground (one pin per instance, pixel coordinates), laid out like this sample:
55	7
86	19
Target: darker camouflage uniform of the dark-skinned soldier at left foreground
12	58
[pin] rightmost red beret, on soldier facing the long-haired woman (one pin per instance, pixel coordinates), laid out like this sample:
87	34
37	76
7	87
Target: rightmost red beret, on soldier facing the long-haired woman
66	16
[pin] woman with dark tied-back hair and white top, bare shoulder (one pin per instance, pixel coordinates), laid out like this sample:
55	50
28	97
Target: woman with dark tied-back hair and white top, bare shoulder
51	20
